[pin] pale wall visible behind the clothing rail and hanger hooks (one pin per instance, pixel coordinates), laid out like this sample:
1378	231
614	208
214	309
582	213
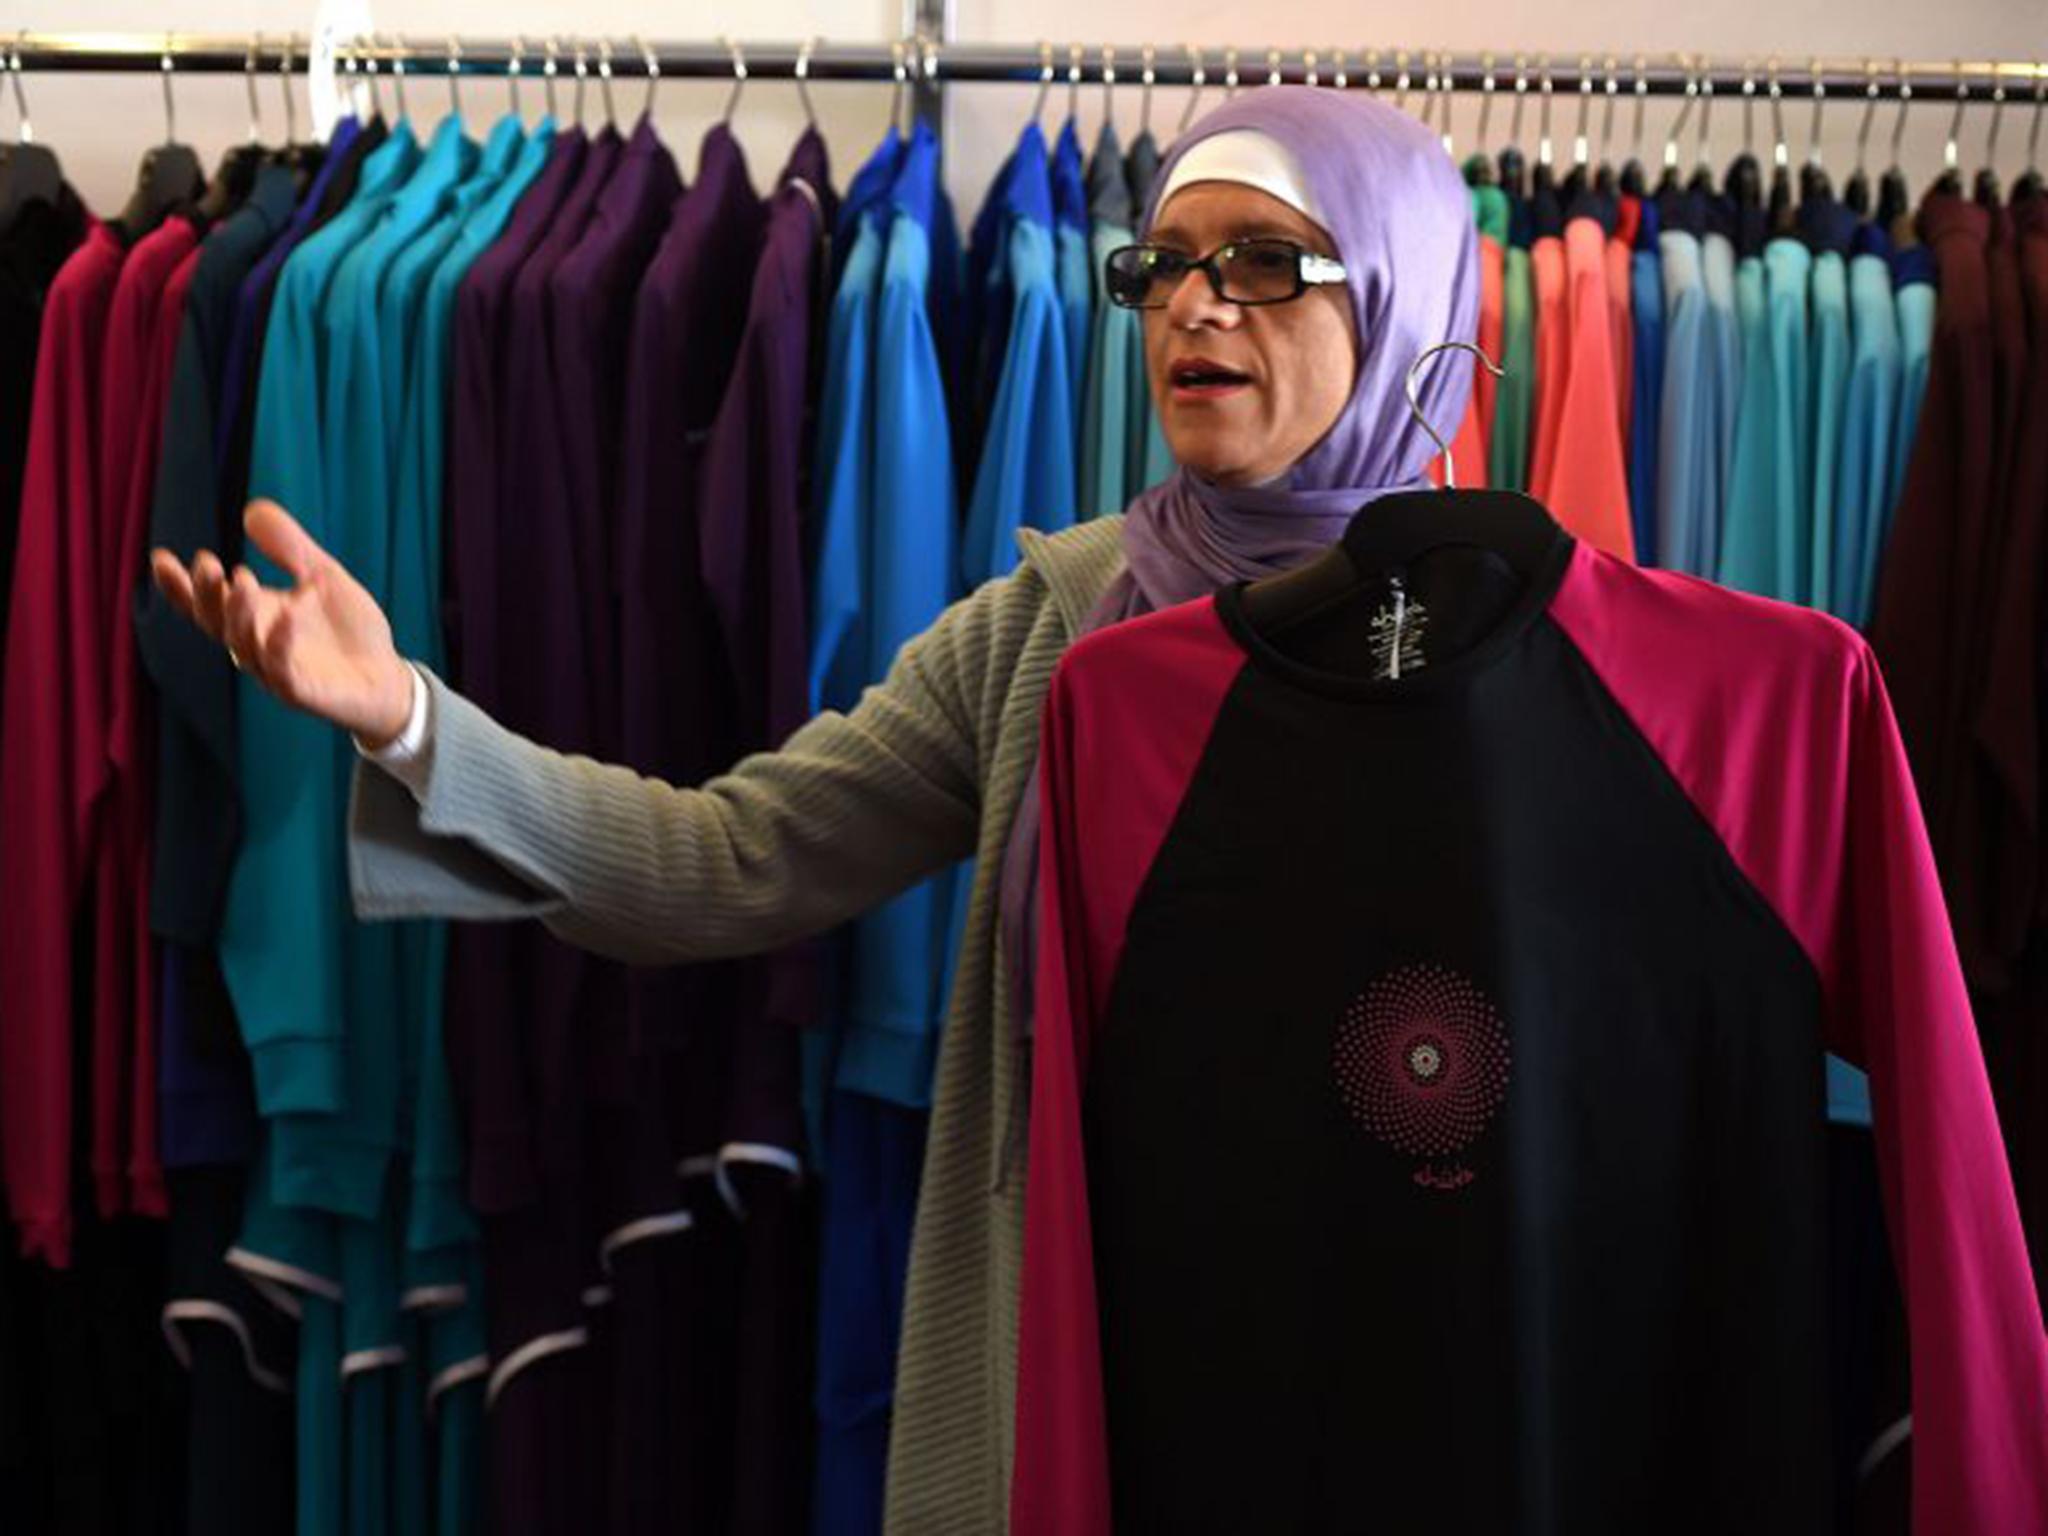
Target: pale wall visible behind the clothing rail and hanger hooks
101	124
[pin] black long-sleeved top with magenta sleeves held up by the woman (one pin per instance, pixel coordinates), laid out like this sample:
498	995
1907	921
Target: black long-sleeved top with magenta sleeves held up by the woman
1658	849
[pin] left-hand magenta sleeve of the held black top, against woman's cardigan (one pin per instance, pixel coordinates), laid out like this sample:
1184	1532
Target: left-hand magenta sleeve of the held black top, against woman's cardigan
1123	730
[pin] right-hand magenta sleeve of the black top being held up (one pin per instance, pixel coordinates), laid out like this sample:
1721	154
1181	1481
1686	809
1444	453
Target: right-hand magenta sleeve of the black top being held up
1777	724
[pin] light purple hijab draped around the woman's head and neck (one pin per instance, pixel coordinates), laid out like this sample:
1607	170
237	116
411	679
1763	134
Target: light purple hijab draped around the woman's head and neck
1402	220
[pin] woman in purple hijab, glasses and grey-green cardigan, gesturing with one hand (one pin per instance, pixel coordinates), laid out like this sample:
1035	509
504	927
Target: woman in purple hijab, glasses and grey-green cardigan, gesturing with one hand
1279	382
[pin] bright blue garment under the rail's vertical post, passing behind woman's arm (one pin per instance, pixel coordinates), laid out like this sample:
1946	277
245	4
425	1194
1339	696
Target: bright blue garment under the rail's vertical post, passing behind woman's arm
896	996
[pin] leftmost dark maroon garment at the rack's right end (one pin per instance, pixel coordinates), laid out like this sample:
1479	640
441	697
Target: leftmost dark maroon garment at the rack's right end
1934	574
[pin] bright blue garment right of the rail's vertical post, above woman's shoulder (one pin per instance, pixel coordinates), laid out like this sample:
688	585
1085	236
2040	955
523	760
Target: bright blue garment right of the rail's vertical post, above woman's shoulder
1027	458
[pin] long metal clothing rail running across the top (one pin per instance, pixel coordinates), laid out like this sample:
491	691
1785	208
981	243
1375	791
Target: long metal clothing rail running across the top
929	65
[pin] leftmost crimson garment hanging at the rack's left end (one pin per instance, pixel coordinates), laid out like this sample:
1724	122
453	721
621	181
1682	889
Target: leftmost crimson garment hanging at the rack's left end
54	761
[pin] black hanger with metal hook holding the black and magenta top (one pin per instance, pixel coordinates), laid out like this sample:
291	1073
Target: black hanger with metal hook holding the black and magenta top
1392	534
